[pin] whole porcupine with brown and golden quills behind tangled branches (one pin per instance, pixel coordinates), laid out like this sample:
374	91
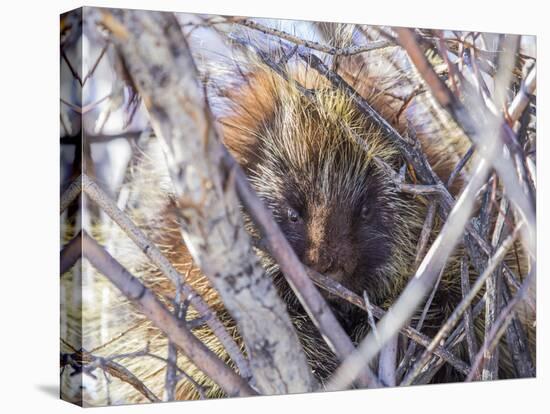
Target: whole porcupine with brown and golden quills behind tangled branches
312	159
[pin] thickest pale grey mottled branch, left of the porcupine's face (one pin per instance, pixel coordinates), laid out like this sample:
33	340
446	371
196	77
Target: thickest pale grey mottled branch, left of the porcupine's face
159	62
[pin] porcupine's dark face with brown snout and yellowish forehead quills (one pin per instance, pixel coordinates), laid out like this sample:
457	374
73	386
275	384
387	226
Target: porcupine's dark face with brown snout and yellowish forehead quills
336	208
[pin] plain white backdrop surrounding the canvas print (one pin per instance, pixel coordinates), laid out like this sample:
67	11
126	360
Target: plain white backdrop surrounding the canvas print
29	128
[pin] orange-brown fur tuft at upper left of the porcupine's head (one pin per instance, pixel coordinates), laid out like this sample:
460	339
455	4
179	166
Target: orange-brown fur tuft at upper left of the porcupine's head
253	105
